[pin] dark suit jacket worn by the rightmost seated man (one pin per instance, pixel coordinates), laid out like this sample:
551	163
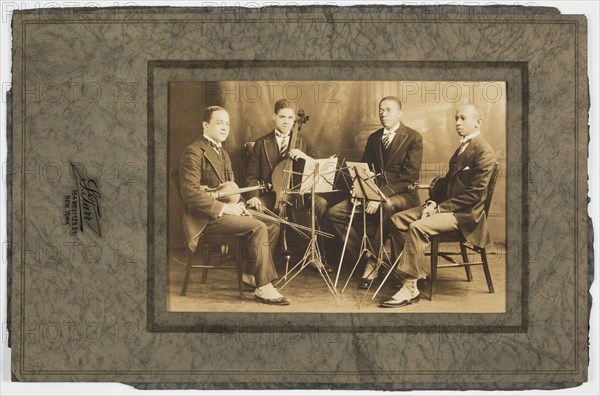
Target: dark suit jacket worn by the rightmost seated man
468	178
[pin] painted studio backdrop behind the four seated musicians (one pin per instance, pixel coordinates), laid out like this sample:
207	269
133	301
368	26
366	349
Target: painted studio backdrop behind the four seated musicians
342	115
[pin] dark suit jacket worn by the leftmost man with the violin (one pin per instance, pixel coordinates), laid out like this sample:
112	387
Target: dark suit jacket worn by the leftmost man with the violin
199	168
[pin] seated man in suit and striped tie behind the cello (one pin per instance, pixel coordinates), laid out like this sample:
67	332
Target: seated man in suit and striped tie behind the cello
272	148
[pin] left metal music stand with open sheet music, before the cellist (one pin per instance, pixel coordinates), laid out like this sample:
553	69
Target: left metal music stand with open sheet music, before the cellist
312	254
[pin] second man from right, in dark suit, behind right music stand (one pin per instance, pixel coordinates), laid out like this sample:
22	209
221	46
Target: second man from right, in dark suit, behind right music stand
395	153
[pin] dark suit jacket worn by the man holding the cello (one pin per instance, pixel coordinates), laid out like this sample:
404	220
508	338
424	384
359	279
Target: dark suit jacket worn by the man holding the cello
265	156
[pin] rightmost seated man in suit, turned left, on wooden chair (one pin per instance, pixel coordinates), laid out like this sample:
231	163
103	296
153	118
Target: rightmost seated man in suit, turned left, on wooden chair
468	177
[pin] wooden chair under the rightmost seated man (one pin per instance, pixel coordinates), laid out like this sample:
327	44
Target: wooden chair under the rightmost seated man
456	237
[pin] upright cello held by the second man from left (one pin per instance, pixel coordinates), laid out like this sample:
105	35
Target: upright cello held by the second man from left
283	171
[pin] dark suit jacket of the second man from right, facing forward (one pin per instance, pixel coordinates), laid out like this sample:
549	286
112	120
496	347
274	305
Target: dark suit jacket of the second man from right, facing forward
403	163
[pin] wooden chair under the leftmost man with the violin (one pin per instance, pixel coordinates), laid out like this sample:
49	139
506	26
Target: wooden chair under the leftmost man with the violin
206	246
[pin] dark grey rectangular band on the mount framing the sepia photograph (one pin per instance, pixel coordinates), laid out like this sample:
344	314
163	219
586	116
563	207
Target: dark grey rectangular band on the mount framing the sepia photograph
160	320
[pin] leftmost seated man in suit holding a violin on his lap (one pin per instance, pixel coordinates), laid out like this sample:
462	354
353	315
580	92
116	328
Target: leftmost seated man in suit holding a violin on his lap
203	164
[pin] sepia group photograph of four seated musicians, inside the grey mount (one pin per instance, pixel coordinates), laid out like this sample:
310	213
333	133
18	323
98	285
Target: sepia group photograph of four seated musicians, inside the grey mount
337	196
